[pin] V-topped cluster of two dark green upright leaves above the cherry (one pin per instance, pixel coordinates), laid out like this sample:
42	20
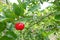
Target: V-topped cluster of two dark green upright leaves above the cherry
19	9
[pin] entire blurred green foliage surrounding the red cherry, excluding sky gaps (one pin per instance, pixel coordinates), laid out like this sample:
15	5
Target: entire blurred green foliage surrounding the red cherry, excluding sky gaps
39	24
